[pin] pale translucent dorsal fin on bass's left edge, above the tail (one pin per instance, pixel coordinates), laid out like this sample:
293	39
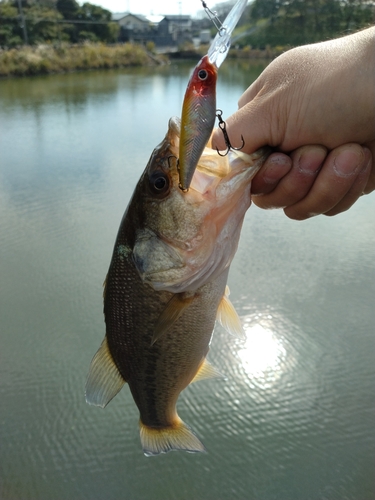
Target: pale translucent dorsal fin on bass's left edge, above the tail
104	380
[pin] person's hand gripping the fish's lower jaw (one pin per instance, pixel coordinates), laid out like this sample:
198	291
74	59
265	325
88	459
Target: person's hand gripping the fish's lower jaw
315	105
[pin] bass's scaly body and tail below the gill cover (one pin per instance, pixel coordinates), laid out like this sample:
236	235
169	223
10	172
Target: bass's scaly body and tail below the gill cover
157	373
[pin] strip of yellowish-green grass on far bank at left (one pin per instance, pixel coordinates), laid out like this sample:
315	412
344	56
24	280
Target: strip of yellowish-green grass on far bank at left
45	59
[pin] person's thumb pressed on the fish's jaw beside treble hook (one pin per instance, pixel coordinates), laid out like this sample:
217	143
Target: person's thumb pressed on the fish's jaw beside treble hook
252	123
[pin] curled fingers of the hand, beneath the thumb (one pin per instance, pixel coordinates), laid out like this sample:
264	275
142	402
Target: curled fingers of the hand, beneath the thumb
312	181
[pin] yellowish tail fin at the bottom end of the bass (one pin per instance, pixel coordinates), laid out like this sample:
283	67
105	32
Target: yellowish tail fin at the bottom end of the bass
156	440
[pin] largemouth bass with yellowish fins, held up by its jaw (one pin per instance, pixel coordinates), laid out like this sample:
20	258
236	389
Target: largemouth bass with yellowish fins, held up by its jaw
166	286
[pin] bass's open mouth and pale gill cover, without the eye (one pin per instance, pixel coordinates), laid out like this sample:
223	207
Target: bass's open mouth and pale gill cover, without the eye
199	237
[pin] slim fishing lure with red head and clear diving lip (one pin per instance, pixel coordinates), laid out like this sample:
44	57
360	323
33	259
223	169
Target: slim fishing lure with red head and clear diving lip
199	105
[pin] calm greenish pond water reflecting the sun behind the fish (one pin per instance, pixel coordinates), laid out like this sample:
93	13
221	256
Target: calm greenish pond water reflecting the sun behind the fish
294	418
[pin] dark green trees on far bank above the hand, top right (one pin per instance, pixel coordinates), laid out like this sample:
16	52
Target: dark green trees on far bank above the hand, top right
297	22
